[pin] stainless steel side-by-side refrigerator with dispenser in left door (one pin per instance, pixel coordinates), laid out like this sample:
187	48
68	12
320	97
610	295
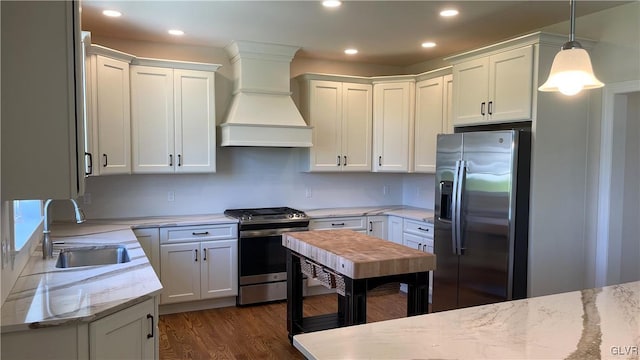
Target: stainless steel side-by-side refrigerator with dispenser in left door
481	218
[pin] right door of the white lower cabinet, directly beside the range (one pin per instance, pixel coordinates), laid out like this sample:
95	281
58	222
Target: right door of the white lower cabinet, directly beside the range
219	268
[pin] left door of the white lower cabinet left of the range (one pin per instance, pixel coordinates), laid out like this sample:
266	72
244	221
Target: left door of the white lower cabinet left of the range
180	272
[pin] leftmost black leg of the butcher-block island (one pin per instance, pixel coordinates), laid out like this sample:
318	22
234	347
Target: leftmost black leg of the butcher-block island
294	295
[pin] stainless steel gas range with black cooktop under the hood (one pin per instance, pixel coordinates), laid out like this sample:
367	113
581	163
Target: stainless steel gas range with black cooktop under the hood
262	263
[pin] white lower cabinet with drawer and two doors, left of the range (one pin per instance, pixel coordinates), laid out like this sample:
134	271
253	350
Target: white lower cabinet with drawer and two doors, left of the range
198	262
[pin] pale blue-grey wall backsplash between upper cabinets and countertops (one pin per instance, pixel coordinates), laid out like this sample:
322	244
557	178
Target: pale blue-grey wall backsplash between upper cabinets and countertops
251	177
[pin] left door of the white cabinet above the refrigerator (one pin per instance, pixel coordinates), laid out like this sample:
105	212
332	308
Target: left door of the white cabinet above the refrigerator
470	91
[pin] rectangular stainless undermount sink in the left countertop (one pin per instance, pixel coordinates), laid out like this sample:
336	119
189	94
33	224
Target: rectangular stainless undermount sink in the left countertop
92	255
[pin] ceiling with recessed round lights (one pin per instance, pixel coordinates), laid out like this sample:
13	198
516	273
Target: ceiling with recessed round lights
384	32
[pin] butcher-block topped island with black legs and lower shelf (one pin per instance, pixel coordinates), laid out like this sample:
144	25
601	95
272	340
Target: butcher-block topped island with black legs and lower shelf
353	263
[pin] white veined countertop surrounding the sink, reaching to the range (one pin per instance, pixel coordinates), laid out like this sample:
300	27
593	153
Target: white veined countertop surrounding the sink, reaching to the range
46	296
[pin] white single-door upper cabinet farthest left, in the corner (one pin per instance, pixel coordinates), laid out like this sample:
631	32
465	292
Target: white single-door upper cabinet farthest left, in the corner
108	124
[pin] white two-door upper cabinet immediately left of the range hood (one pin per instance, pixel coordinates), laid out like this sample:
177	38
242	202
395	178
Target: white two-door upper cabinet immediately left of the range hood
173	120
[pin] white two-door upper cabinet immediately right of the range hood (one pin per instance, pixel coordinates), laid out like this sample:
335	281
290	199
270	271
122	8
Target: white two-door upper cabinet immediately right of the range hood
341	116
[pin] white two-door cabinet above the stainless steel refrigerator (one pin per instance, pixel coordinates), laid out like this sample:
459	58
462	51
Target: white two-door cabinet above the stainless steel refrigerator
493	89
